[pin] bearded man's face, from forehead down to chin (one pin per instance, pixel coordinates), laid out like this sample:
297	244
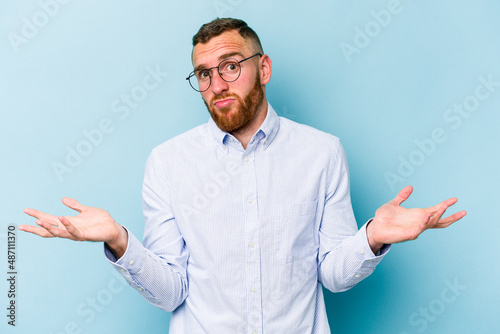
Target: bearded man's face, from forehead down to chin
232	105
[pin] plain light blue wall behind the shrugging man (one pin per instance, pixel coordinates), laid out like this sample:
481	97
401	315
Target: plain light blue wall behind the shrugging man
408	63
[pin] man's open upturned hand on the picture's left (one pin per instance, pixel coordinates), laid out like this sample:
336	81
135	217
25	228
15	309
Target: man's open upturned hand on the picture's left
91	224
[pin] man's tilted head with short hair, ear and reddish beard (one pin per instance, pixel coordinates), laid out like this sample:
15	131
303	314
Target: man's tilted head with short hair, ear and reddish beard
239	104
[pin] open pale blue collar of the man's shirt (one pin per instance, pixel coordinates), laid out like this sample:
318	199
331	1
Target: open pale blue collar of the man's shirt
269	129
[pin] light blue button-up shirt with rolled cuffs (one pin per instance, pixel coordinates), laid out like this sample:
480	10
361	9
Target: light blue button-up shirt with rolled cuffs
241	241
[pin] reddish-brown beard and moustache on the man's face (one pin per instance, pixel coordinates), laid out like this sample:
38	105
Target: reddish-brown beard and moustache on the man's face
239	114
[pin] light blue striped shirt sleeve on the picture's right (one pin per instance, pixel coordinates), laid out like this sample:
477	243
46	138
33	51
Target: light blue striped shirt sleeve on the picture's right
345	257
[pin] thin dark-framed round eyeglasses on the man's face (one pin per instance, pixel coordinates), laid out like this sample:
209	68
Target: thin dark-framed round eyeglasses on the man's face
229	70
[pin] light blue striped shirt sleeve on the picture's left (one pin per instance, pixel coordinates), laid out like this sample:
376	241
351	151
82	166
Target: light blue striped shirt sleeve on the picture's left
156	269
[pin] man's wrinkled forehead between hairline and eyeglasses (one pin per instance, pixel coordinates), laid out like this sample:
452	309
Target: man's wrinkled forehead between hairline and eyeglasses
229	42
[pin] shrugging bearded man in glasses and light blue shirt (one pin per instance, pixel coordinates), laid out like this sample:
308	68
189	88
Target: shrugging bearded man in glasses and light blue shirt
247	216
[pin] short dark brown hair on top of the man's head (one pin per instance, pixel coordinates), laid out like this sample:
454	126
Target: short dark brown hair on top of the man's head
219	26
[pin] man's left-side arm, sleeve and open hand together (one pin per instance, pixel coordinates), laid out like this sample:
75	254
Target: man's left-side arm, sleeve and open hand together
156	270
